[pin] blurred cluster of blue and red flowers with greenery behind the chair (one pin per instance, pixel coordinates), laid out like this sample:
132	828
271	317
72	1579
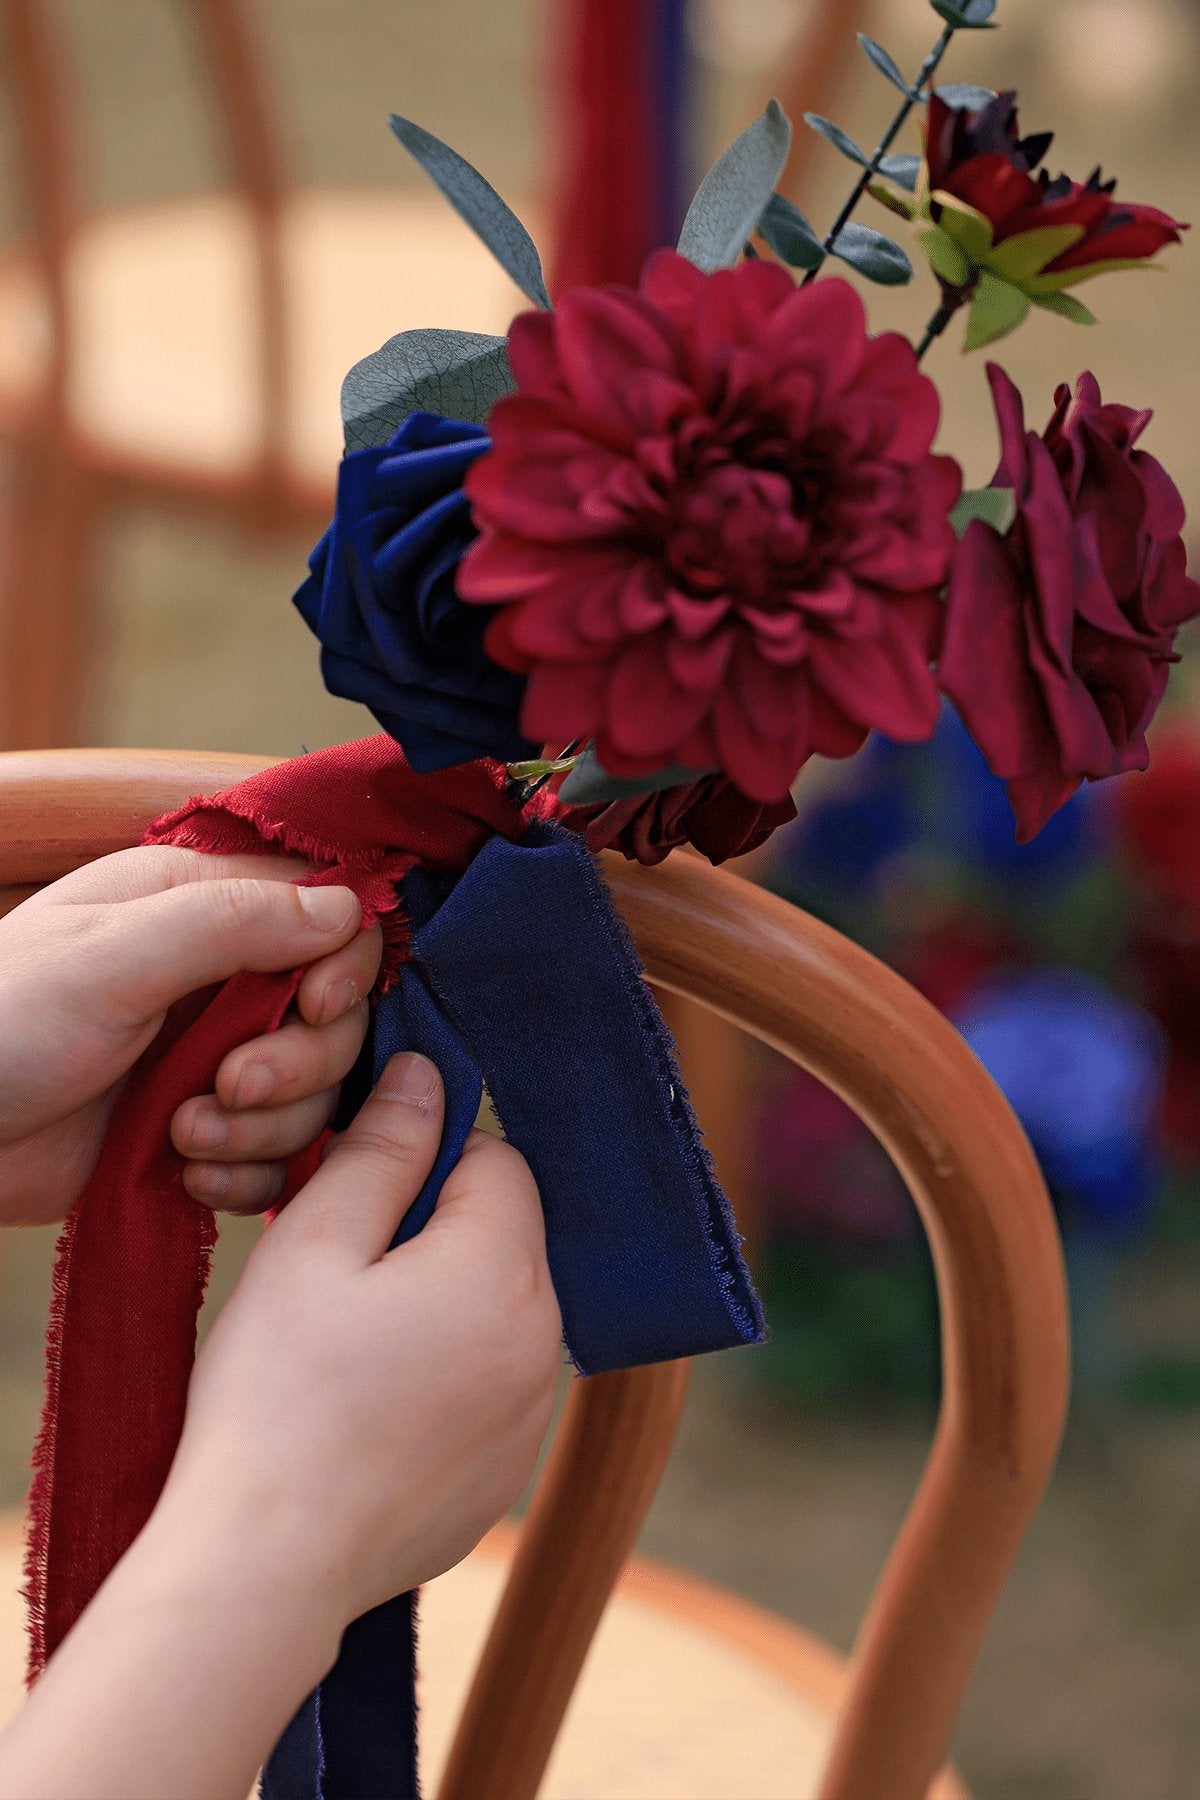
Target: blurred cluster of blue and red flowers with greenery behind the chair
1073	969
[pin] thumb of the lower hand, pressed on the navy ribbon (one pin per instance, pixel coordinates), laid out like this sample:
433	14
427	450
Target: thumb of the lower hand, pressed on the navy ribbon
375	1171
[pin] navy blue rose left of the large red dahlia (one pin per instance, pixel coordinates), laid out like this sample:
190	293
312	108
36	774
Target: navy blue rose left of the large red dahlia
382	600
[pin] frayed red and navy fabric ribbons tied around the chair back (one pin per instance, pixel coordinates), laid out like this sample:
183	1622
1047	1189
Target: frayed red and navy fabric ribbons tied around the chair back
506	964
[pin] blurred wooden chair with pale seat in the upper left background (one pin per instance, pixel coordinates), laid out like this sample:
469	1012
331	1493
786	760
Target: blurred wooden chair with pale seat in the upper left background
193	352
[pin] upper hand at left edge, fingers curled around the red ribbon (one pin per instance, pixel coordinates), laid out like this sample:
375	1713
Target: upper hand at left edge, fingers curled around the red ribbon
89	969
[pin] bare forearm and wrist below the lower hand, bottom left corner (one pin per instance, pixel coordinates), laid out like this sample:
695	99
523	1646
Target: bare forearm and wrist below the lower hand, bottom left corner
179	1677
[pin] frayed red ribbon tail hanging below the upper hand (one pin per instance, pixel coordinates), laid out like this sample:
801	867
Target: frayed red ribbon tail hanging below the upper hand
129	1282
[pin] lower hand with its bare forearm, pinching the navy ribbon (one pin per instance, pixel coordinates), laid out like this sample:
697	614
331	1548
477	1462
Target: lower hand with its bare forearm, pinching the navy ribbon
357	1419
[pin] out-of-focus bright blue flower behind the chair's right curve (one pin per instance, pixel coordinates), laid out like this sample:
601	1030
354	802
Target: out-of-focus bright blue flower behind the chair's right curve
1084	1072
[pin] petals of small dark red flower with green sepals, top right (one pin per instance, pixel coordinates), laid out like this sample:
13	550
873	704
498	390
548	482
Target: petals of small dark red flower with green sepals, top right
981	159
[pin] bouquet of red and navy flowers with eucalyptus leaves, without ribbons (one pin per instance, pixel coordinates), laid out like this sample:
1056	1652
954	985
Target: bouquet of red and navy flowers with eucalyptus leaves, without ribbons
665	544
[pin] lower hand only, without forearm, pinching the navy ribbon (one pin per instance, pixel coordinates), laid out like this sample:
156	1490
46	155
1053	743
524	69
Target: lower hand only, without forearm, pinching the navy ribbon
361	1417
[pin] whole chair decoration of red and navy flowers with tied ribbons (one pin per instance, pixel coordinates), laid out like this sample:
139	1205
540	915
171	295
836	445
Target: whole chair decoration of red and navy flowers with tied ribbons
611	584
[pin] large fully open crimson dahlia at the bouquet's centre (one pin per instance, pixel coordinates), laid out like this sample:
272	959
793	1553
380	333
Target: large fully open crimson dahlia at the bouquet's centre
713	525
